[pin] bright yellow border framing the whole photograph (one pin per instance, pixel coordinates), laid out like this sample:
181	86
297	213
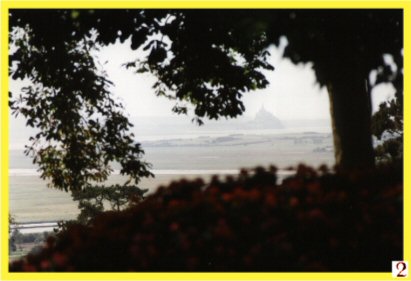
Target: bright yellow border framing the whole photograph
107	4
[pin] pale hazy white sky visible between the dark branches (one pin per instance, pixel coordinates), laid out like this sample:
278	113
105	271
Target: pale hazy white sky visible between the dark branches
292	94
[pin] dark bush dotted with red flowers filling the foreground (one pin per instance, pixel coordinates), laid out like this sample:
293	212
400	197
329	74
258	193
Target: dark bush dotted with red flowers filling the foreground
312	221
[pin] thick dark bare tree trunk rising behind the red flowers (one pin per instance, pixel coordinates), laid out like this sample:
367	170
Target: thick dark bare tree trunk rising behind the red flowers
350	105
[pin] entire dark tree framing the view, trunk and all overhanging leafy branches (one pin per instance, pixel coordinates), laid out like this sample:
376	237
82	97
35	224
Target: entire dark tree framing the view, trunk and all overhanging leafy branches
207	58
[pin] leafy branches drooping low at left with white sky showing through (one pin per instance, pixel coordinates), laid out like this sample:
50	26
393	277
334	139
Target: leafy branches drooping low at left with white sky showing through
82	128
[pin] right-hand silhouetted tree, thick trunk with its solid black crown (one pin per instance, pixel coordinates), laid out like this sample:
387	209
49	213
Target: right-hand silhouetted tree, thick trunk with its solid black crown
344	45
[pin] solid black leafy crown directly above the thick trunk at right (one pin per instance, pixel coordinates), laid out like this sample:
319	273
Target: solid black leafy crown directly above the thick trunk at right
339	38
